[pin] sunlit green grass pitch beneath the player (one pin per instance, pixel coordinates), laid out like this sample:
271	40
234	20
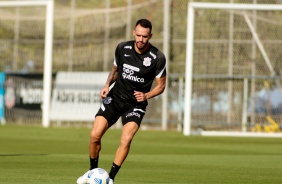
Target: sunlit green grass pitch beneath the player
59	155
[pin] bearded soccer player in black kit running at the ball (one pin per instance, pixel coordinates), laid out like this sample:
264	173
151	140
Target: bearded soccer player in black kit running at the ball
136	65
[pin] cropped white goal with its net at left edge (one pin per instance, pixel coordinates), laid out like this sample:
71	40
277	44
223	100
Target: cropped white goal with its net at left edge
26	58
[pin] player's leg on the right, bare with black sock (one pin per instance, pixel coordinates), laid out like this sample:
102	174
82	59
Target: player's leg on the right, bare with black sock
128	132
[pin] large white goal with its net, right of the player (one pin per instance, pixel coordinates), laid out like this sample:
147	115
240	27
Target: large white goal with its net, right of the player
233	68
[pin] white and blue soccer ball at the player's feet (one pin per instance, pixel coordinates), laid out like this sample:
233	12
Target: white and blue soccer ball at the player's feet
98	176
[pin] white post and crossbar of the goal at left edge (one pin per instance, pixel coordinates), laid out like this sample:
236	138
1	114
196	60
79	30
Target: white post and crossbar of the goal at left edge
48	49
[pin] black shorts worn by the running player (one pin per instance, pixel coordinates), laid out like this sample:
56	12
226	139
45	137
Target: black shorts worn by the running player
114	107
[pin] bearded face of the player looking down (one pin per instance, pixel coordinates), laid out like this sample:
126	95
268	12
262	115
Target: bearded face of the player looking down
142	36
